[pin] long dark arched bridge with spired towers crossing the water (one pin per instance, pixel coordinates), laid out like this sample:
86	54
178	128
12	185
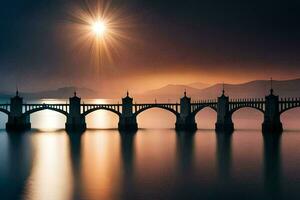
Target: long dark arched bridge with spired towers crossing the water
271	106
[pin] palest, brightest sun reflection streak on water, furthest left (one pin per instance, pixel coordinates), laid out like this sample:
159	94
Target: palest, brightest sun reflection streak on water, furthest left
50	177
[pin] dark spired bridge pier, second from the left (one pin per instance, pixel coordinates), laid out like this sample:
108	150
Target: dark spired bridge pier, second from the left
75	121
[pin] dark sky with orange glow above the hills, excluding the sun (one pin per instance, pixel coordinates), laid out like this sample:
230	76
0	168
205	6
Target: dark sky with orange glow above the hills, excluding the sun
167	42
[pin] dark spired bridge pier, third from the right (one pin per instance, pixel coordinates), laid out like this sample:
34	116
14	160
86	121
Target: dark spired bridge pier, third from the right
185	121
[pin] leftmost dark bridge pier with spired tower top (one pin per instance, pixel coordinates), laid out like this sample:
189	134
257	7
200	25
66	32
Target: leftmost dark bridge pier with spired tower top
16	120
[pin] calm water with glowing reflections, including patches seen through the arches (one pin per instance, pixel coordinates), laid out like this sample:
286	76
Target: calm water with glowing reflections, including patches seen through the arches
155	163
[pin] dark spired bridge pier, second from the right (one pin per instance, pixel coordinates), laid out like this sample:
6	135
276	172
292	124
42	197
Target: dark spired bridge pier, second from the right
224	117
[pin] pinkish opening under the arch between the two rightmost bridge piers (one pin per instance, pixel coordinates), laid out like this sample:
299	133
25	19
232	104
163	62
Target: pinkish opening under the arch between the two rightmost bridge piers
247	117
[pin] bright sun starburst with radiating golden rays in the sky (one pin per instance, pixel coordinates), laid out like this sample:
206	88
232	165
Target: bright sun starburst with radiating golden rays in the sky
101	30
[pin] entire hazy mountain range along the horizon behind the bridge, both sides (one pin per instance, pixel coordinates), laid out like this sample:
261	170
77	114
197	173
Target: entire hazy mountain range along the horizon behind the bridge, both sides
253	89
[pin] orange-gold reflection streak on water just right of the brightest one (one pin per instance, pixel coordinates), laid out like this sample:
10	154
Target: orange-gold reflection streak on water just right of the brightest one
101	164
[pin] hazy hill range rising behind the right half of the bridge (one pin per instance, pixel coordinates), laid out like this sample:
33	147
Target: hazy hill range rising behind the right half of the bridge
253	89
